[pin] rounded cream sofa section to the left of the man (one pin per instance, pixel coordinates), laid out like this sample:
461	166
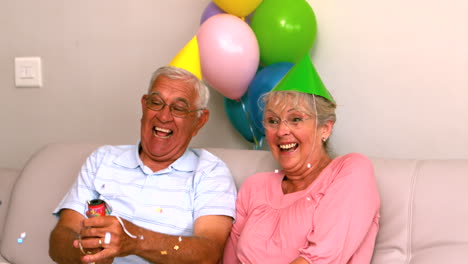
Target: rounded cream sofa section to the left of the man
43	182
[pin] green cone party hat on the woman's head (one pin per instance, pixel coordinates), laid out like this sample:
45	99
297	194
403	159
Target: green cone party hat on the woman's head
303	77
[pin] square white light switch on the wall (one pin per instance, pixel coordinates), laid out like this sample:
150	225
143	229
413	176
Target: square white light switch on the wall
28	72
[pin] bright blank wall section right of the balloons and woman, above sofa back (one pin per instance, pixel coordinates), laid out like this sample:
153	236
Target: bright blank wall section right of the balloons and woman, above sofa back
399	71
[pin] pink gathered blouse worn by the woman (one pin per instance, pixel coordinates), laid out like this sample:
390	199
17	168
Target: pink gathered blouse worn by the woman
334	220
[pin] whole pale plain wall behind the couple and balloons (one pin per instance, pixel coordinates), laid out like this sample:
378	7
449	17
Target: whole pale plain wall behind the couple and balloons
398	70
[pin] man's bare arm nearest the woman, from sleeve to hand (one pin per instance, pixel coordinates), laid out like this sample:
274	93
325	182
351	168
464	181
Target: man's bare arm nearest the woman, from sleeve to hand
125	238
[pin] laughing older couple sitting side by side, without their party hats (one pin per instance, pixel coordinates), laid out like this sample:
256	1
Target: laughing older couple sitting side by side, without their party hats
169	203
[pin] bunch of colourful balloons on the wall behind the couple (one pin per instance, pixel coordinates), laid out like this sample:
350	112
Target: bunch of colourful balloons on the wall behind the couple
246	47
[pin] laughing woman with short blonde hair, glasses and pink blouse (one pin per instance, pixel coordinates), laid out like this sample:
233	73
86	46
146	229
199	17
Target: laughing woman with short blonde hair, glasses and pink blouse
316	209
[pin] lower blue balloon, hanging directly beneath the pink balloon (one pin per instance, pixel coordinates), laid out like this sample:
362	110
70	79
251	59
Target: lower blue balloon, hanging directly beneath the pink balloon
237	112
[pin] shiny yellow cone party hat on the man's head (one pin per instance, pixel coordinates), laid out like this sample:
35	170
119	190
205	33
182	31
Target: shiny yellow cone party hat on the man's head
189	58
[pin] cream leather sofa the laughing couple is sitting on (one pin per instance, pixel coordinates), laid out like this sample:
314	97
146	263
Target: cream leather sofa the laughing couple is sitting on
423	216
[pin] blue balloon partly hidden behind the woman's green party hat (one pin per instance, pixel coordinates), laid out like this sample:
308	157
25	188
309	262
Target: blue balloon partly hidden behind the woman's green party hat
265	80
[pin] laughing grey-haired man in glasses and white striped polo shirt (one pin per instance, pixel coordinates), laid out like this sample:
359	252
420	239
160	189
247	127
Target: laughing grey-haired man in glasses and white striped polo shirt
169	203
